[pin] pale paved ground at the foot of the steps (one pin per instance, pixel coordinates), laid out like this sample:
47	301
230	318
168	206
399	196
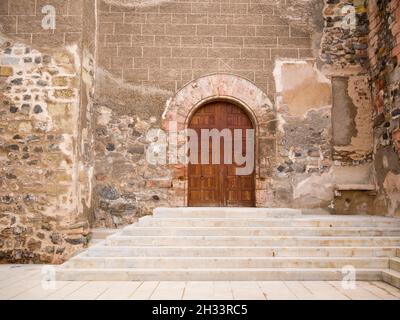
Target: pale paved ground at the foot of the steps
27	282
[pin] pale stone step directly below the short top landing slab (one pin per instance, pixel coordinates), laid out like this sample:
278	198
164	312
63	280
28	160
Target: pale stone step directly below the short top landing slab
328	222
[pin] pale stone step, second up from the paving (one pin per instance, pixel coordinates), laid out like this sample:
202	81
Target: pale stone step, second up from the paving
225	262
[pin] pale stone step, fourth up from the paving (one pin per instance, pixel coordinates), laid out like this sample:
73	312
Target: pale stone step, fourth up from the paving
293	241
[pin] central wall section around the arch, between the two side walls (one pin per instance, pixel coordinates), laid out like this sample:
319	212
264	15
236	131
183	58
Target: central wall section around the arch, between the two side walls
147	52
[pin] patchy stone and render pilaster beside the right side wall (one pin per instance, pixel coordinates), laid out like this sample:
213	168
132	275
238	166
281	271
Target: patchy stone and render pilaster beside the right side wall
345	61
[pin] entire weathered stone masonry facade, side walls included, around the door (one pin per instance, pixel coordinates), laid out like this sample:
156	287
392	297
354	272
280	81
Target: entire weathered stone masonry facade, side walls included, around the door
320	76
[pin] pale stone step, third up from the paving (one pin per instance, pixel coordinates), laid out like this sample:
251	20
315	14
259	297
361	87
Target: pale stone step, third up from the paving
129	251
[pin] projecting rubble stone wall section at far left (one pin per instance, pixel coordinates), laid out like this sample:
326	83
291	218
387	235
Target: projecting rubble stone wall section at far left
40	76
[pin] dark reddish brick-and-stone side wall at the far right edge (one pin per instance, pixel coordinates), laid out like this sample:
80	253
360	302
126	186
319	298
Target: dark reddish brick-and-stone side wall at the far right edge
384	56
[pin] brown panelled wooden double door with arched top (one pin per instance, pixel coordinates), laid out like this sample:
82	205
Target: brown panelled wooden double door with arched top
218	185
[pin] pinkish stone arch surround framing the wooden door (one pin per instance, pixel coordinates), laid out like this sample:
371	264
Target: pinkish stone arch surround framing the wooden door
240	91
